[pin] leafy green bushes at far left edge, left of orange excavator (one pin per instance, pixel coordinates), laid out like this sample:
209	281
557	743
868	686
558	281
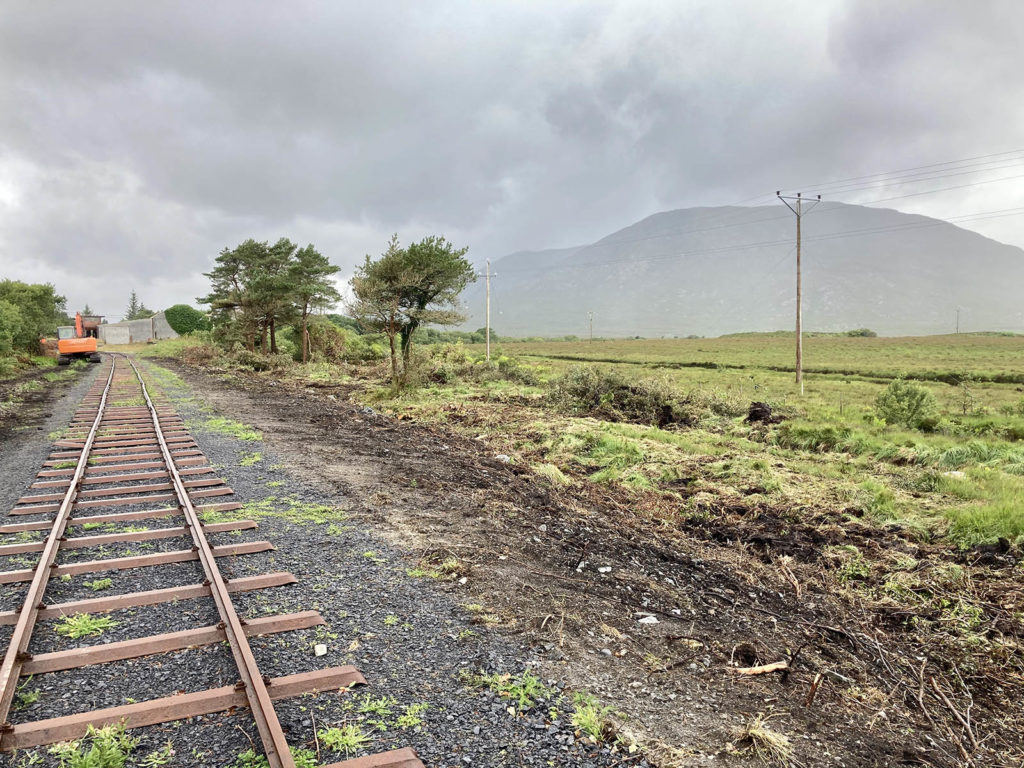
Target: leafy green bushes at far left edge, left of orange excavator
28	313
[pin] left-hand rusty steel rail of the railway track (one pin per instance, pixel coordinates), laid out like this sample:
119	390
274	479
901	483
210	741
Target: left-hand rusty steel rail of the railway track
18	651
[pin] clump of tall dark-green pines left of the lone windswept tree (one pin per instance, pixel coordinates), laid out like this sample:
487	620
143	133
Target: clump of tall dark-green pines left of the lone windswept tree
258	288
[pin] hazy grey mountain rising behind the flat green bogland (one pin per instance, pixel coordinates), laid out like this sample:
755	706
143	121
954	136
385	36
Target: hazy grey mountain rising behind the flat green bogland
717	271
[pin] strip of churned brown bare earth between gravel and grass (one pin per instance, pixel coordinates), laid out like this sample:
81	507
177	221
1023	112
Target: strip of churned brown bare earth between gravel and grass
656	621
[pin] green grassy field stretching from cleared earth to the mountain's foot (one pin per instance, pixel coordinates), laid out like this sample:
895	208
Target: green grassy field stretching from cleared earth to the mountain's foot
961	482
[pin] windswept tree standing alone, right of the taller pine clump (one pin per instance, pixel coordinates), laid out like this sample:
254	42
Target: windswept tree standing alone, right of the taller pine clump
408	288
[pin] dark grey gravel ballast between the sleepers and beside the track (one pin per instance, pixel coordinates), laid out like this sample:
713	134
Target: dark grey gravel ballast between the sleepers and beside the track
410	636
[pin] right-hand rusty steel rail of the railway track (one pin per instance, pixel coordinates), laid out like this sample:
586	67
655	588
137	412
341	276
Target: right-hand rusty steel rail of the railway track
275	745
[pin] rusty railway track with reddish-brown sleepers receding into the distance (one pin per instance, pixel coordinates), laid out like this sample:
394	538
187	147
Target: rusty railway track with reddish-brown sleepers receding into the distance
125	460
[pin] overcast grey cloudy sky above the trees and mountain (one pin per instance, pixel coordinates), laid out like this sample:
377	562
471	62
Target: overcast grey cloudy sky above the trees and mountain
138	140
